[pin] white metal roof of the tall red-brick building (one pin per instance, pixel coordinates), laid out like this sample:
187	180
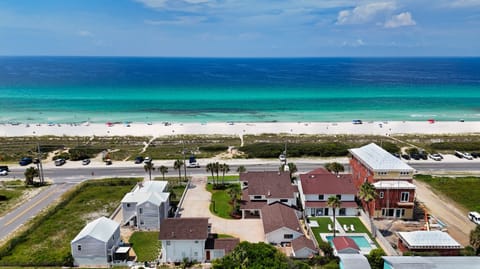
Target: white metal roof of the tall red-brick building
379	159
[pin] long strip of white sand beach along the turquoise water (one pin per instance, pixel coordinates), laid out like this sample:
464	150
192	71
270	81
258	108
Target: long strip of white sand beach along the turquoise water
157	129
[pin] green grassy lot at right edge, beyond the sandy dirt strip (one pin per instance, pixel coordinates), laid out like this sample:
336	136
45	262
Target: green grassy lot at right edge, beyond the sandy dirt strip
463	190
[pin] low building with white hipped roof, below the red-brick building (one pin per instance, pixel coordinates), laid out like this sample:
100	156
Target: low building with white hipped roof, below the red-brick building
438	242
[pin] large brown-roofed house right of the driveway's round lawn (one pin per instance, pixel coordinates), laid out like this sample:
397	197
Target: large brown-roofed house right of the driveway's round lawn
264	188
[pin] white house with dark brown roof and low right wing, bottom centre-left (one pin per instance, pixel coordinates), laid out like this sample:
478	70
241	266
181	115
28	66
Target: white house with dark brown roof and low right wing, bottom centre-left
190	238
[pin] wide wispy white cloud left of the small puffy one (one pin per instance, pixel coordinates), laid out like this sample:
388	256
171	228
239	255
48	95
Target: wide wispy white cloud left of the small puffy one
364	13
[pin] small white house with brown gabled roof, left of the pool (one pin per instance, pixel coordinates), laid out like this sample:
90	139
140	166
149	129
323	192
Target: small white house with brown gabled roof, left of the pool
280	223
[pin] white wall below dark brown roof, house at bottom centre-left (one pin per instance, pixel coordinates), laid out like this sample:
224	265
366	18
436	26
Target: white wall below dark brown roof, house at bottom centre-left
176	250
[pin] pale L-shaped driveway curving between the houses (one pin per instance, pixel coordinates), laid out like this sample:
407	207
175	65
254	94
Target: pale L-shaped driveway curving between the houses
196	204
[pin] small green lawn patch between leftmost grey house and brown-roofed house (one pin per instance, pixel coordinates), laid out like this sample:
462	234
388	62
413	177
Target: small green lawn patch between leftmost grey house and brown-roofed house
145	245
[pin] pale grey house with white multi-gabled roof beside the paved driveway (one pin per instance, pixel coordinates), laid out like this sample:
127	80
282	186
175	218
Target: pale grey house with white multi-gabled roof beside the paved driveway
146	206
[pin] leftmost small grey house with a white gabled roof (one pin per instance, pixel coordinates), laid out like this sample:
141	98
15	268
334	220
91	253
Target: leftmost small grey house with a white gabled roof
96	243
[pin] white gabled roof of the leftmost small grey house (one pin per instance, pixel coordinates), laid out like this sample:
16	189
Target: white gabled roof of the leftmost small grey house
102	229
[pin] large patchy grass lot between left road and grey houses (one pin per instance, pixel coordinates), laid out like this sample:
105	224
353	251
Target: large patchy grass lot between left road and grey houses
47	241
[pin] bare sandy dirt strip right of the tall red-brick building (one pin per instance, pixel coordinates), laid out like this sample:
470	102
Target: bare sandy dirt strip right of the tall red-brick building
459	226
